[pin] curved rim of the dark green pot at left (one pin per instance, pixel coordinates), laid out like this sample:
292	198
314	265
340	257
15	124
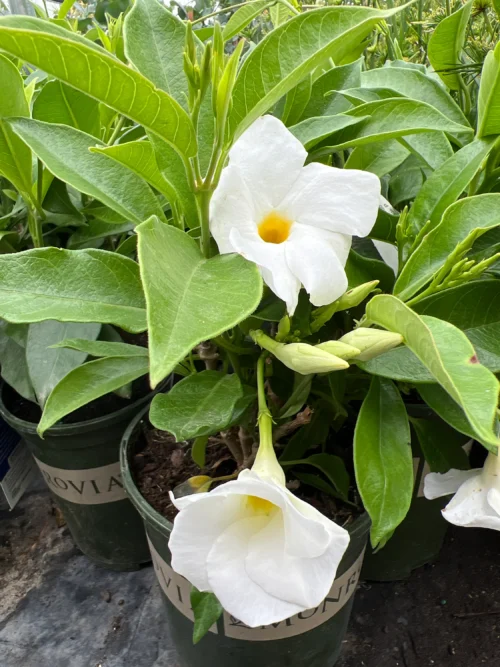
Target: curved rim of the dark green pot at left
65	430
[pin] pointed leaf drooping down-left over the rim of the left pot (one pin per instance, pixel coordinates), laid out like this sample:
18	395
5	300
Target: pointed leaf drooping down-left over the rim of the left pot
87	383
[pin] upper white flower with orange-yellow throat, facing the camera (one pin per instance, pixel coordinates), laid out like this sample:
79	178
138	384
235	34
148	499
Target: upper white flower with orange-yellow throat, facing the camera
294	221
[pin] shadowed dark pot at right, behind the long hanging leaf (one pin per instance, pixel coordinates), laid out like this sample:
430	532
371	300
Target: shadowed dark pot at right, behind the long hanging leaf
418	540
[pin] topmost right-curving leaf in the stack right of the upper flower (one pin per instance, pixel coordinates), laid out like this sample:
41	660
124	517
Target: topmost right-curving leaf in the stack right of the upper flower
417	86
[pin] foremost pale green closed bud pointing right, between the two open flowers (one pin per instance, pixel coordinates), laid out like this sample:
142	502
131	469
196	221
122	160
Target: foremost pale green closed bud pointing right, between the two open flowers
300	357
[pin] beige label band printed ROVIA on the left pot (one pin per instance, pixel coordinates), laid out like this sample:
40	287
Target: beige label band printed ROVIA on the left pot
94	486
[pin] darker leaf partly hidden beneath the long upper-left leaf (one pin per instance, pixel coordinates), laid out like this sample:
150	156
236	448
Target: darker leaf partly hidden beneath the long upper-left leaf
59	103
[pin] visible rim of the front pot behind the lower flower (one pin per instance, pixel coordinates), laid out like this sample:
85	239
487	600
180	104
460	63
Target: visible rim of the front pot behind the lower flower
150	515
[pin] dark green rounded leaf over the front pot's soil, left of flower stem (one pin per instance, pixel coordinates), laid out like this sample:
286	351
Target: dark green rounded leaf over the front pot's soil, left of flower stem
201	404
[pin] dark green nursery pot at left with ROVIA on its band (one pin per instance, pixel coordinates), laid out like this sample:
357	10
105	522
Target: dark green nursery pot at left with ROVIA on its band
80	464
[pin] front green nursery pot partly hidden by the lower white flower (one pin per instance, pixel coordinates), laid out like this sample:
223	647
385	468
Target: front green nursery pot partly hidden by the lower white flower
313	638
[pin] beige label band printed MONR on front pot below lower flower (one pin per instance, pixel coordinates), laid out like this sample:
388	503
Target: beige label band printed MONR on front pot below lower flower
340	593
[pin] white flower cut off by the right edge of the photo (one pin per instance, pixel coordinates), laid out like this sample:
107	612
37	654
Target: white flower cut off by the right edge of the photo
476	503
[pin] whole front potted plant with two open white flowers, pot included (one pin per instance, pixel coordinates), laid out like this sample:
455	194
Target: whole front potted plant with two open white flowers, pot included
244	210
